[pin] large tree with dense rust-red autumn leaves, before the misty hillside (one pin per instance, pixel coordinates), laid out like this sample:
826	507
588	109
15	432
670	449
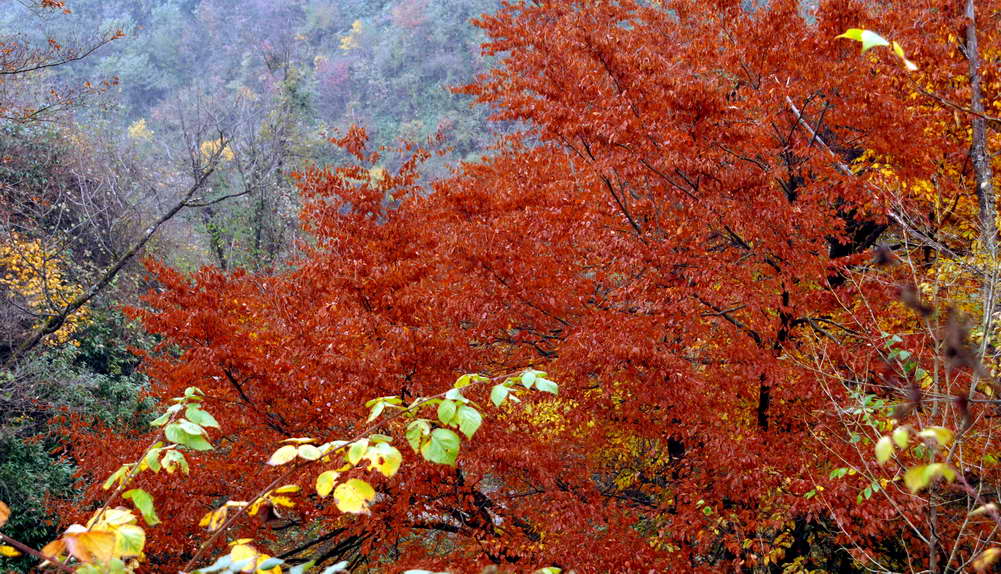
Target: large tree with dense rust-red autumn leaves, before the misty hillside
676	223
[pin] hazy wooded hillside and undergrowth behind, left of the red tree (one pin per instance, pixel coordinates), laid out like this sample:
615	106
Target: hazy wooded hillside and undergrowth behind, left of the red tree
87	168
